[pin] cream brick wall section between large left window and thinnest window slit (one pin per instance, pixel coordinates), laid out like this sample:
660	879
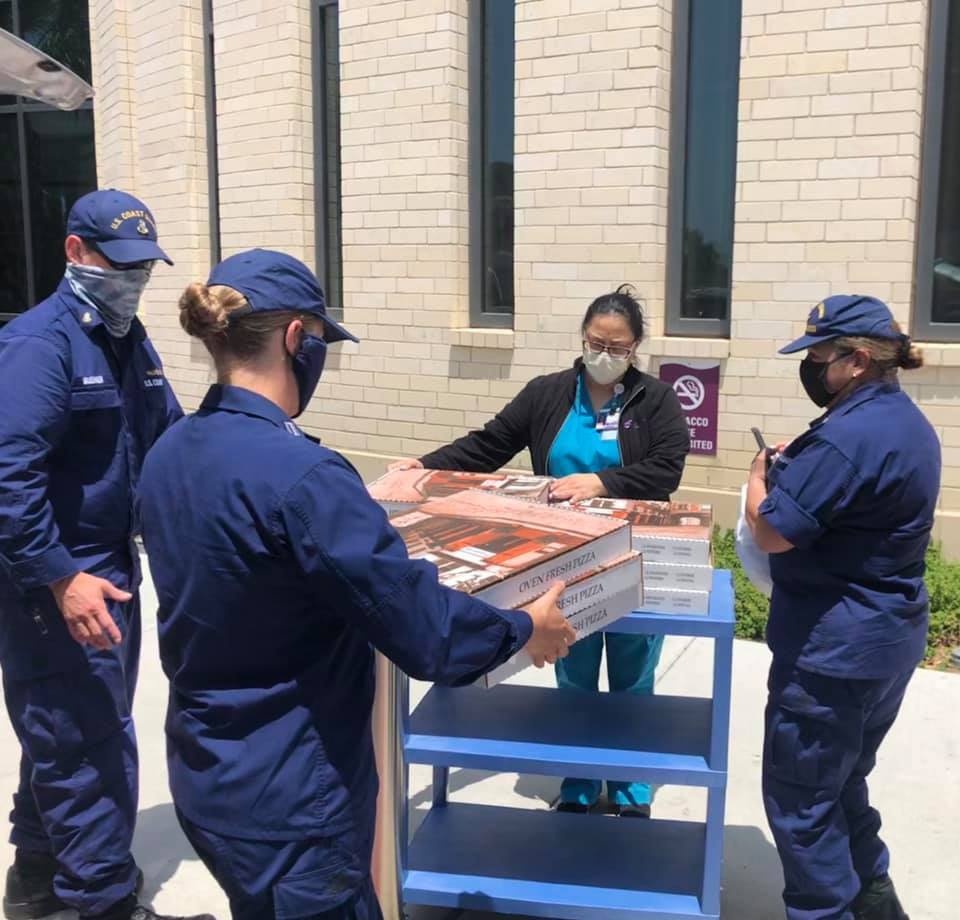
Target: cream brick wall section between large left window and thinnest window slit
149	115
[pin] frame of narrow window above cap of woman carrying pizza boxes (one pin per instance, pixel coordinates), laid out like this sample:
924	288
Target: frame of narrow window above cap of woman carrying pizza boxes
321	185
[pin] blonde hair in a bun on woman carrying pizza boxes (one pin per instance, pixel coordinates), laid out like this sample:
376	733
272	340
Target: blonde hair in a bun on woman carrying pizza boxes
207	313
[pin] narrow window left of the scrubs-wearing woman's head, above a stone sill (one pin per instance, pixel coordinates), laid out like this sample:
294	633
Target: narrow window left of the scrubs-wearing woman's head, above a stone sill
492	56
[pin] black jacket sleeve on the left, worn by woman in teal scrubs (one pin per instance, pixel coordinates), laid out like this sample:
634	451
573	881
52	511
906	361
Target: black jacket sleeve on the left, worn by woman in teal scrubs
490	447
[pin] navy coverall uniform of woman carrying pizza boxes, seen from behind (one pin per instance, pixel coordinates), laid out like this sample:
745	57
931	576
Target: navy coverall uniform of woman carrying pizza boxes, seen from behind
276	576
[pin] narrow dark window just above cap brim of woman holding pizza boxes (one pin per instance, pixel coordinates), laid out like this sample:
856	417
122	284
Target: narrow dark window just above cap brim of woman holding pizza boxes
326	157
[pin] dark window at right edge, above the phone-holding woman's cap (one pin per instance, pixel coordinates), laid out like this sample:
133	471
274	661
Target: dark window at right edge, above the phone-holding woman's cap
937	313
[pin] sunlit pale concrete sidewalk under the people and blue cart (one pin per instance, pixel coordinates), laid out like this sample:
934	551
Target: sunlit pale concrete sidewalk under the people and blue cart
916	785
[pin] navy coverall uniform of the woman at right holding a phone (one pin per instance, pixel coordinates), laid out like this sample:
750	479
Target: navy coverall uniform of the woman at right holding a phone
855	495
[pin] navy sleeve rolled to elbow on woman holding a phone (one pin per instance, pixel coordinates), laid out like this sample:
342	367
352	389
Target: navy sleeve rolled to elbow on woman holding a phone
809	491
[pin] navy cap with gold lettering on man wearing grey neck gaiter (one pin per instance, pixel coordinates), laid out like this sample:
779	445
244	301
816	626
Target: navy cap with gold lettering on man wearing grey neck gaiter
118	224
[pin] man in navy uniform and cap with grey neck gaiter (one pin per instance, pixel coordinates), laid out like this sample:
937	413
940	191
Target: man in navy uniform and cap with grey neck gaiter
84	399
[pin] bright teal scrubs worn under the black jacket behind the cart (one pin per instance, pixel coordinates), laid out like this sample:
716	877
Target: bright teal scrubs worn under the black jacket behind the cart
581	447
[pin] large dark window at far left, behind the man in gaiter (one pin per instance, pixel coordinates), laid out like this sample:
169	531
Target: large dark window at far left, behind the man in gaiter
46	156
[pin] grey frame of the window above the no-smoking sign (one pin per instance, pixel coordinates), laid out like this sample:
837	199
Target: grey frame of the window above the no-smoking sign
674	323
